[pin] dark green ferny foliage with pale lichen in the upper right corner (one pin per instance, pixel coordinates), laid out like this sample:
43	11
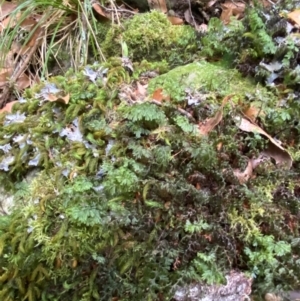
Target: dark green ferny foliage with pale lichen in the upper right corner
258	45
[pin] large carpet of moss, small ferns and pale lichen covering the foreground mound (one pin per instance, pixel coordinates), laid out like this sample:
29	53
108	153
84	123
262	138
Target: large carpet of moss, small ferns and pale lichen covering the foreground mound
130	200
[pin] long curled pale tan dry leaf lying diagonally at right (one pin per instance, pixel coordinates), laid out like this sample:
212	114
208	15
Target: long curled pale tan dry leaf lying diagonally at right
275	150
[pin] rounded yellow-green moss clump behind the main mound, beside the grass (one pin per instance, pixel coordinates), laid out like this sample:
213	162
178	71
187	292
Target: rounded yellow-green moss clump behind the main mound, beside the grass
151	36
